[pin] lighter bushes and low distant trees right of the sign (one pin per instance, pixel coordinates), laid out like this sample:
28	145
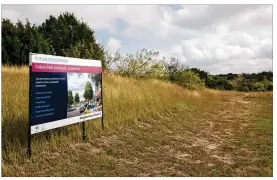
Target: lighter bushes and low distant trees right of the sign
144	64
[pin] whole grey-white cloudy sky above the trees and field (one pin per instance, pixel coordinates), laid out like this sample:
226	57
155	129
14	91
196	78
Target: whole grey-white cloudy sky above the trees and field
216	38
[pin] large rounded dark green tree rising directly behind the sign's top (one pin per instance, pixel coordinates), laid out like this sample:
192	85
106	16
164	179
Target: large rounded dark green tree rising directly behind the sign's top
71	37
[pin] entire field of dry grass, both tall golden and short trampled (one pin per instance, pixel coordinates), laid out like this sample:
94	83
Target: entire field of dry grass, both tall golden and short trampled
152	128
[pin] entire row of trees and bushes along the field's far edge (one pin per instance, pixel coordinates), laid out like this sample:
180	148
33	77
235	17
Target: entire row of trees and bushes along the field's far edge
65	35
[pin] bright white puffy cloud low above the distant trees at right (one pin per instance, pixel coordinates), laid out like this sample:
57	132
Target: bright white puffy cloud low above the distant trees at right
239	52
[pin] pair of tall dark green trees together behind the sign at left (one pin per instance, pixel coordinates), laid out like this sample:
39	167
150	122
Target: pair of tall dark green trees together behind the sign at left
63	35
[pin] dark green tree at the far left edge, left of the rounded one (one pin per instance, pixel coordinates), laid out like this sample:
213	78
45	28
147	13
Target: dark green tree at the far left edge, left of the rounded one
19	40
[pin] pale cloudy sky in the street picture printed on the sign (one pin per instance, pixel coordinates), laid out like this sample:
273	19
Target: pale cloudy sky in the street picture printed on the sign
77	82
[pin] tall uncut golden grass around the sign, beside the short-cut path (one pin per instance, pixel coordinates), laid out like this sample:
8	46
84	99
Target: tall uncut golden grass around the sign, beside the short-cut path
125	100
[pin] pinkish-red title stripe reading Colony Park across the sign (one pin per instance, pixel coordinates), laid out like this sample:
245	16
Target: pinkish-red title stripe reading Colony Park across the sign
42	67
